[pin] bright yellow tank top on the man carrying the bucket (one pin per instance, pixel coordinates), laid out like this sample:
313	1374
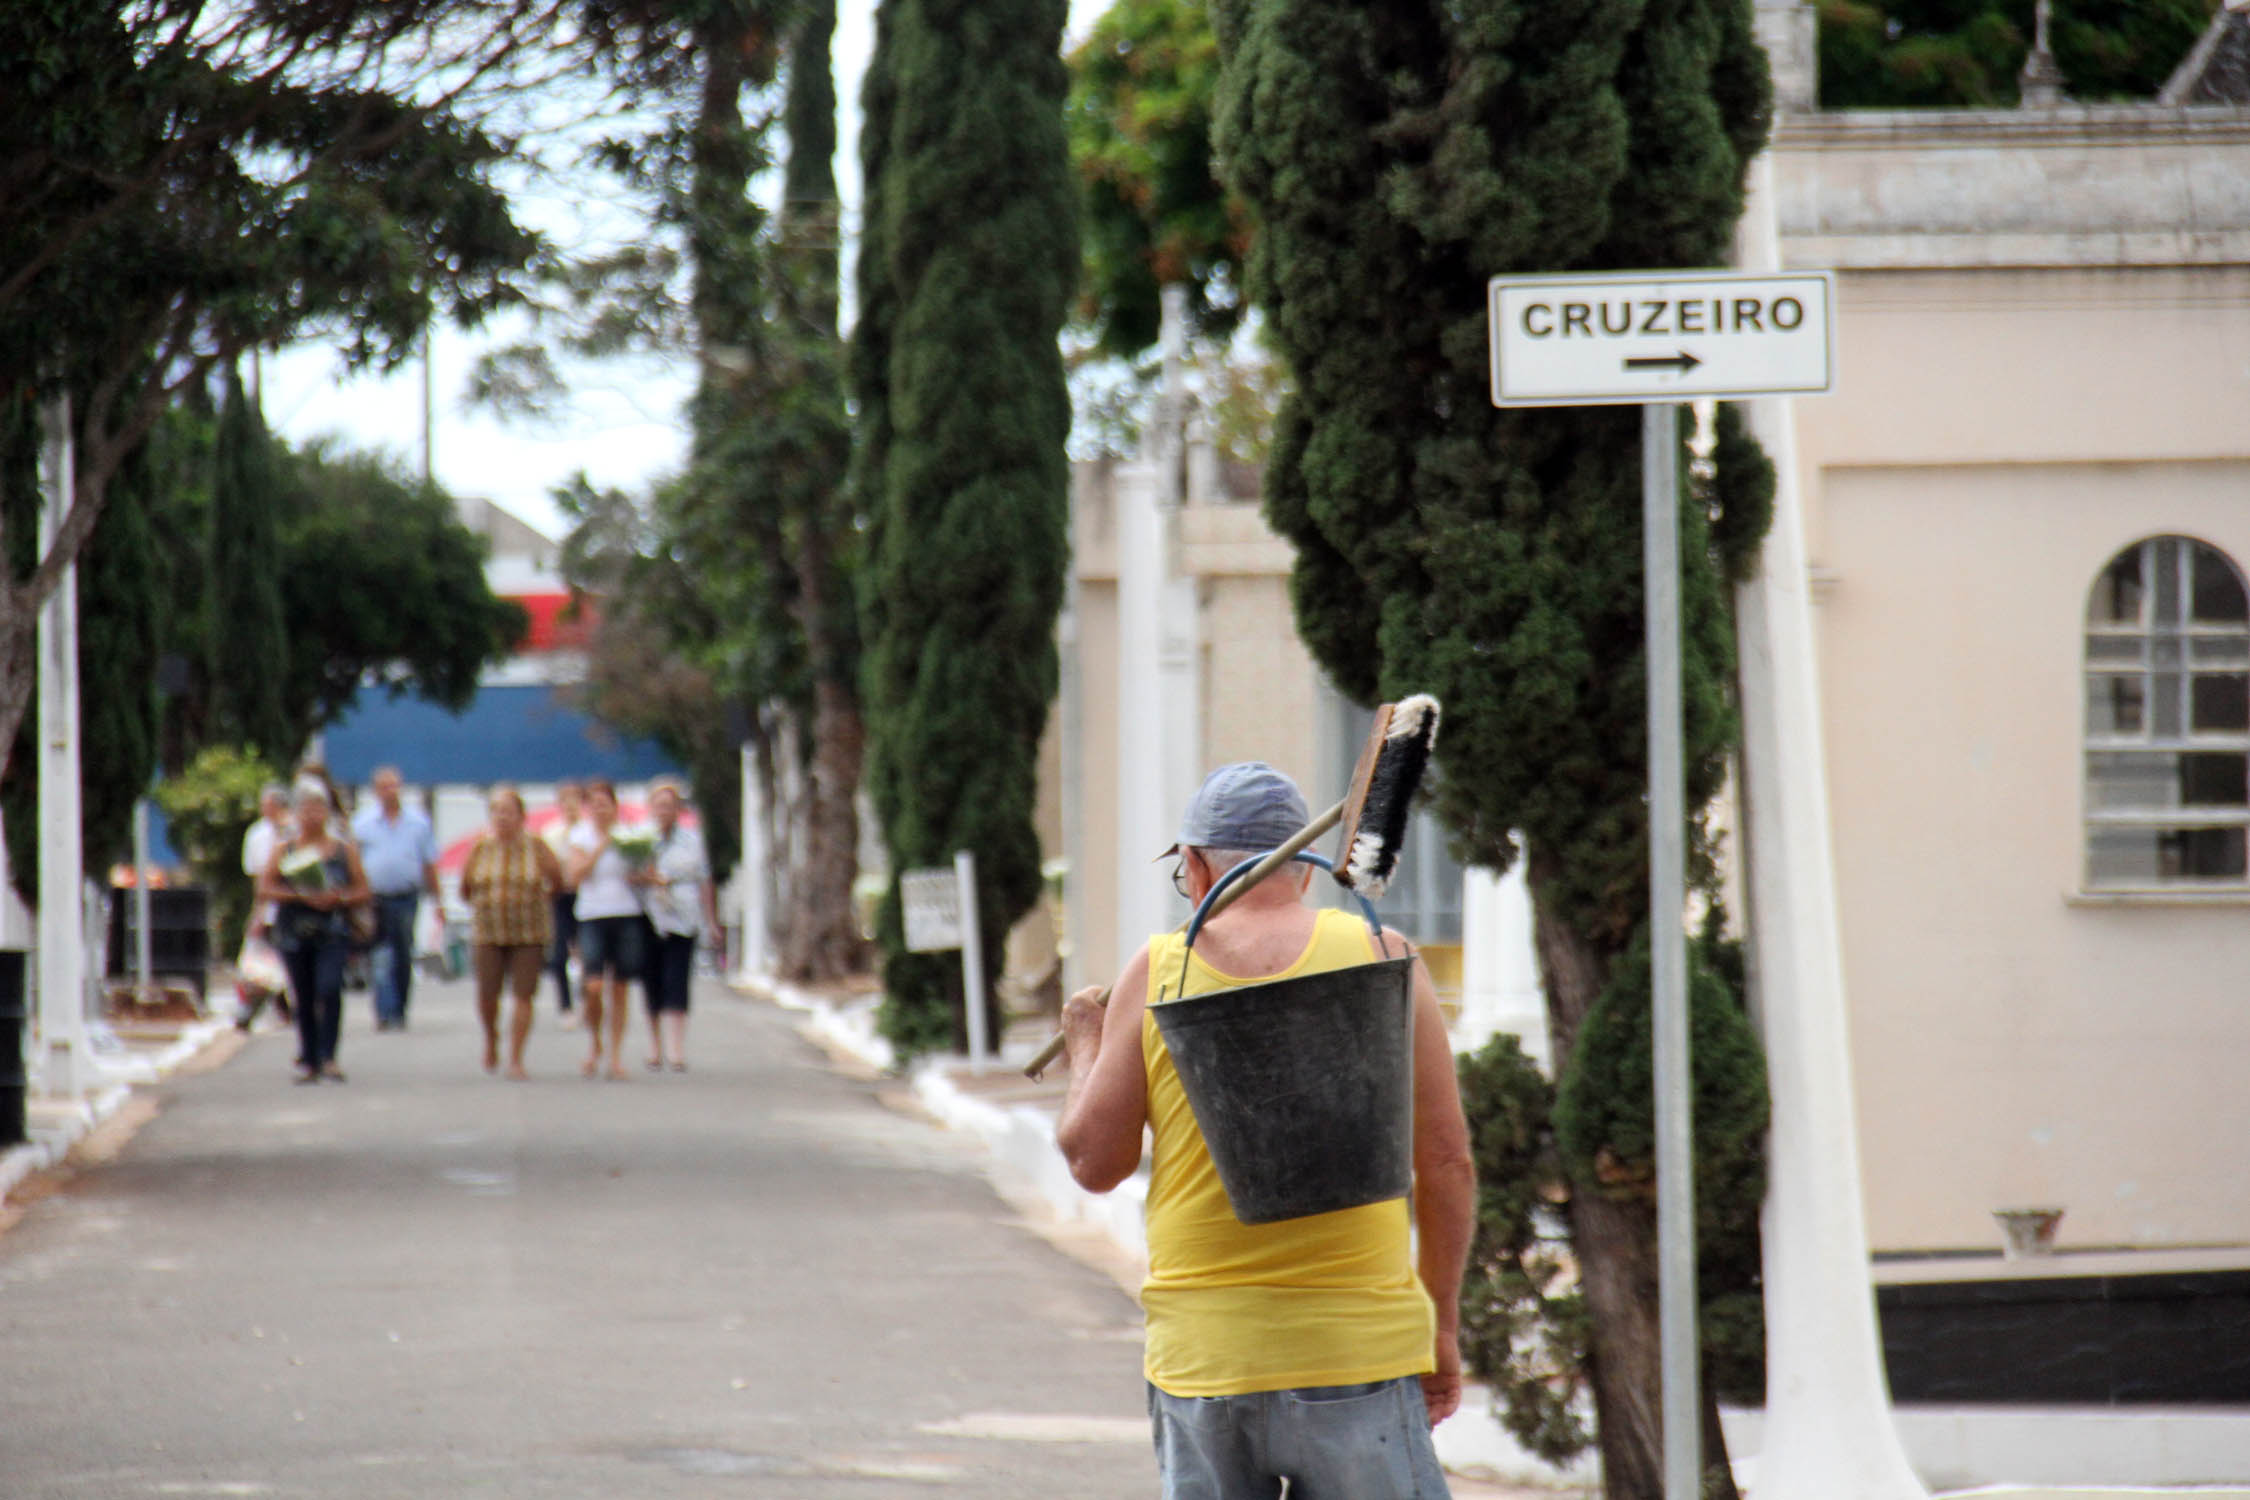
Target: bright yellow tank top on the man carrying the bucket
1239	1308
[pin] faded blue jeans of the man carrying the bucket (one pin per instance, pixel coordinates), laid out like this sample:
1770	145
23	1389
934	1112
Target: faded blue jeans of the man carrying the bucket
1333	1443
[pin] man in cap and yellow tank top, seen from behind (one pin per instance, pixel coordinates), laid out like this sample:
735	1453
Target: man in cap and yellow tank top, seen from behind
1313	1350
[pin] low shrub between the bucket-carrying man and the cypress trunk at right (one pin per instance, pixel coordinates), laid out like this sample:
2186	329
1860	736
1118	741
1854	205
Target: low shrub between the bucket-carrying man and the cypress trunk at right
1522	1323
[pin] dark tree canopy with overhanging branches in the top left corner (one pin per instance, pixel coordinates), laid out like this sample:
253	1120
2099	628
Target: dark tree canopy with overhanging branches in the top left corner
179	190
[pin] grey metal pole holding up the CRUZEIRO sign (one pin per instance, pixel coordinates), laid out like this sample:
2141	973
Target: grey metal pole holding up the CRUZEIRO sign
1668	952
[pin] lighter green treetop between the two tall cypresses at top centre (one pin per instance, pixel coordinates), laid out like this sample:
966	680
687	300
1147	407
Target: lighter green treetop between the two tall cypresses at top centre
1153	208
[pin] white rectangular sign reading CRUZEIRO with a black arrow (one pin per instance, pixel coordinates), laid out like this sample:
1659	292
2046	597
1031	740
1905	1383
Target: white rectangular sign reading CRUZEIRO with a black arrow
1659	336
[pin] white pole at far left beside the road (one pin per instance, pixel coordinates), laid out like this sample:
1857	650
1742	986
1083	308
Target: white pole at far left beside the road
64	1063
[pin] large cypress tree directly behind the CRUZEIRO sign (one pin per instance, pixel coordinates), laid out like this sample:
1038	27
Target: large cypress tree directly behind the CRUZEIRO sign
1396	161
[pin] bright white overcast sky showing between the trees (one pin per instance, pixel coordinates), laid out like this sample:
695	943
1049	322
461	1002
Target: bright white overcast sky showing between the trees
624	422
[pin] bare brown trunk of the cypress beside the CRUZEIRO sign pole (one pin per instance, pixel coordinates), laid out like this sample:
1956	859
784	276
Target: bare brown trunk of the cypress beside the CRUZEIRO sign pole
1614	1240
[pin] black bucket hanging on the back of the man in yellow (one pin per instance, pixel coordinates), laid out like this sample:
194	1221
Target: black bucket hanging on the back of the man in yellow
1304	1087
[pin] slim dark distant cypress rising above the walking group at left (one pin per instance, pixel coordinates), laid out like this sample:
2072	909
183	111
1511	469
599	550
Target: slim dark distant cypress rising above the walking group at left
249	638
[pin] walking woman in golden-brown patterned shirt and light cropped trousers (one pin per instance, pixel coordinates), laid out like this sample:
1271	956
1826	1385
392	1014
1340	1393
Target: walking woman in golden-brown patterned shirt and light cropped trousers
510	883
